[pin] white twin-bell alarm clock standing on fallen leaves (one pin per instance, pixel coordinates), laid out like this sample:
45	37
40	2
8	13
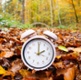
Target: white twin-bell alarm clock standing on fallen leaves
38	52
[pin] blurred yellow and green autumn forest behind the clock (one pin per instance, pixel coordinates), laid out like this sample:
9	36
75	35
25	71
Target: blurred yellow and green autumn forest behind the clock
55	13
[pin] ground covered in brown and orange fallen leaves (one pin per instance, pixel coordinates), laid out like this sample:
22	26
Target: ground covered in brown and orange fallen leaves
67	64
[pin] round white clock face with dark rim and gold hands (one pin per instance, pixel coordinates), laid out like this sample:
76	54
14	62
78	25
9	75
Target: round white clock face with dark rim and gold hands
38	54
